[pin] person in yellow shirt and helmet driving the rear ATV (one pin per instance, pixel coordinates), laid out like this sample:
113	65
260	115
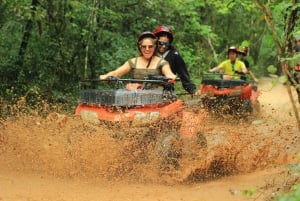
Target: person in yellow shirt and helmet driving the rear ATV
232	66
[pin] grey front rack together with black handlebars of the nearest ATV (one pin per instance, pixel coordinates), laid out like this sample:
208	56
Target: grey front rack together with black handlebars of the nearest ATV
121	97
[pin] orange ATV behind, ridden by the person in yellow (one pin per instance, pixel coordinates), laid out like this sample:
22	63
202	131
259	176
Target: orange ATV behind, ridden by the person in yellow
222	93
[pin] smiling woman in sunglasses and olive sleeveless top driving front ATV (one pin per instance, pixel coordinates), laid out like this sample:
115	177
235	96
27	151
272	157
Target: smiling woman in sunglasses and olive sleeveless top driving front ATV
147	63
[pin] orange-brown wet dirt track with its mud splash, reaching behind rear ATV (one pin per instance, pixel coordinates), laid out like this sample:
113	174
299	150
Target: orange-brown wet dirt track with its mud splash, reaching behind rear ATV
64	158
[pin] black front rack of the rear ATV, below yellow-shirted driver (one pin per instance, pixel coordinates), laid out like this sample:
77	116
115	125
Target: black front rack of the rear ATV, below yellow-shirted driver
221	83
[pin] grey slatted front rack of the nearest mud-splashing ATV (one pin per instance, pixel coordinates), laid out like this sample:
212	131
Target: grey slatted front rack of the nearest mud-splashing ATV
122	97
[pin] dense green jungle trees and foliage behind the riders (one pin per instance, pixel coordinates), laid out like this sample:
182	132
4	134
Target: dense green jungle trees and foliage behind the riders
50	45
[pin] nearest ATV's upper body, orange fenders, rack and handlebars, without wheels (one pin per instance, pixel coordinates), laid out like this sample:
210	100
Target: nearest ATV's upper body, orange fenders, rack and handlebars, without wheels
129	100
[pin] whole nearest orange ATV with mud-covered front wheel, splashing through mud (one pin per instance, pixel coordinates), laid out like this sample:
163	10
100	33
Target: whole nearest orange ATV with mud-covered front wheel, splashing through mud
146	110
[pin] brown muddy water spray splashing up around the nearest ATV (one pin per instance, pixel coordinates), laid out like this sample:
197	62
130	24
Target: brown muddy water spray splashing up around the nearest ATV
66	146
